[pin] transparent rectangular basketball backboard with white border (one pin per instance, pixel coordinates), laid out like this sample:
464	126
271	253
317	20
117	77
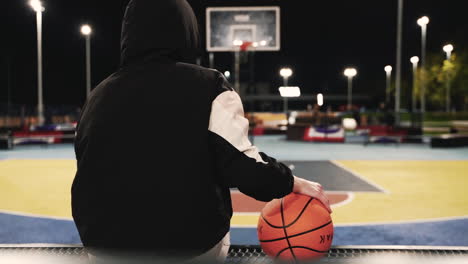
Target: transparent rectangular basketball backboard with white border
228	27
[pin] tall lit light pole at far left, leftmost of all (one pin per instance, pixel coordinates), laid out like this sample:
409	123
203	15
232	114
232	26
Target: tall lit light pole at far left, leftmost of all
38	8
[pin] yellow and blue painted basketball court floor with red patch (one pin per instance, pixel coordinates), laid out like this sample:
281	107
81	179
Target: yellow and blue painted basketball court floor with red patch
384	201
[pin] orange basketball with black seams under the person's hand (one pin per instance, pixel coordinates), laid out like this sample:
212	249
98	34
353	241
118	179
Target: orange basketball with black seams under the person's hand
296	227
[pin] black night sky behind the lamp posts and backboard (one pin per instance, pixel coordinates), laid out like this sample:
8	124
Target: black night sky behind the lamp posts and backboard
318	43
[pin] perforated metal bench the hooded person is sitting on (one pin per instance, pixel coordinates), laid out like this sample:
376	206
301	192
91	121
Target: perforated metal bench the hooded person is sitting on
254	254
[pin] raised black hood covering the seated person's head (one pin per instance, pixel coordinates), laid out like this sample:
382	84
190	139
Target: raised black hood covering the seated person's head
159	30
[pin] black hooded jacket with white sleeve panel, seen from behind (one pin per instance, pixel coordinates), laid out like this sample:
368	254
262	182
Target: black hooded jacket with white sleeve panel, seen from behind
161	141
